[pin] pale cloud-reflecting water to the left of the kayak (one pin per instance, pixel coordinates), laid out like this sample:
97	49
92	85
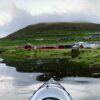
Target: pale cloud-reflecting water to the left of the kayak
15	85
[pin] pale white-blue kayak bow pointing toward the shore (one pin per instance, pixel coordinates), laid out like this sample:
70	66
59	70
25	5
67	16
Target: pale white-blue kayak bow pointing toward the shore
51	90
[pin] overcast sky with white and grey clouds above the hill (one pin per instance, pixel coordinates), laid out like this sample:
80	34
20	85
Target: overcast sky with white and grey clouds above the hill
16	14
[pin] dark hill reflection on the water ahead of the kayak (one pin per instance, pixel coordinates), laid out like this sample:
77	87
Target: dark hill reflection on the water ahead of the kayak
57	68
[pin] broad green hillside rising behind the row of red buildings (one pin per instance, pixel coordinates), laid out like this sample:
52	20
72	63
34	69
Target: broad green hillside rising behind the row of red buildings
51	33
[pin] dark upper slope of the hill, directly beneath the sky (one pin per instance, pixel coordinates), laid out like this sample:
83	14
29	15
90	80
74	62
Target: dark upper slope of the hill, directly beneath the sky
36	30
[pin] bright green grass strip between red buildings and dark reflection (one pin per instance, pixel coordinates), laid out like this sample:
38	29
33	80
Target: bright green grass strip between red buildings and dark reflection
86	55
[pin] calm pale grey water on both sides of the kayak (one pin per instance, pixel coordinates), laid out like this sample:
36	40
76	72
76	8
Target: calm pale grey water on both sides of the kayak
20	86
